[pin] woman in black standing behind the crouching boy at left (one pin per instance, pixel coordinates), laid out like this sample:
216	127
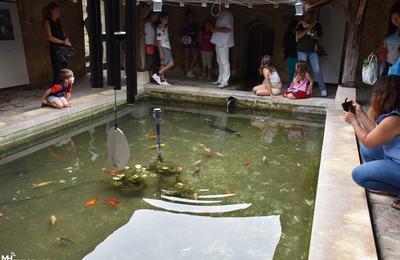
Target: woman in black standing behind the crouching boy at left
56	37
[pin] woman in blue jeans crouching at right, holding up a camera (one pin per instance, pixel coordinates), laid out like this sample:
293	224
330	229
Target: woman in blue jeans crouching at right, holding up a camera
379	137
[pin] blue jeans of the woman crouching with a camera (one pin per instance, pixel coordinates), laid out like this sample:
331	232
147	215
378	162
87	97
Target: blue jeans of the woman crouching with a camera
377	172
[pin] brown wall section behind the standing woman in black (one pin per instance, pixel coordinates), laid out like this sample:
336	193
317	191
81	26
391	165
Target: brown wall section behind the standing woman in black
35	43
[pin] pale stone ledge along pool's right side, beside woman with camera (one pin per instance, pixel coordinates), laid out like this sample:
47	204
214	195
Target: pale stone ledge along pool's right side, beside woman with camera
342	227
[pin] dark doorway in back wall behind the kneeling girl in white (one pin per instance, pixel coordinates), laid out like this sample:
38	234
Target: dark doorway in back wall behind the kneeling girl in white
260	42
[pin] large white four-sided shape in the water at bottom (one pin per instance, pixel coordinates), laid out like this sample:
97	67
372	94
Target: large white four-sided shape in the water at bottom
151	234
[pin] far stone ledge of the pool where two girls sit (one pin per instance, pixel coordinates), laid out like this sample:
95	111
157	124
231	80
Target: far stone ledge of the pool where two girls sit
245	99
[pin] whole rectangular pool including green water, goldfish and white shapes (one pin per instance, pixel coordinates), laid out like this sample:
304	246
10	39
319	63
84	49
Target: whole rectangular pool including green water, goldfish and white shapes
267	168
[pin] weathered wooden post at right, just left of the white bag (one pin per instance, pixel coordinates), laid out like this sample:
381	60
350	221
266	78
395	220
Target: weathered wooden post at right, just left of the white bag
353	46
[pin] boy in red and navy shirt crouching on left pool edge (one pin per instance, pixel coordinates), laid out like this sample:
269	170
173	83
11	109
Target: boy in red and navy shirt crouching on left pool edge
58	95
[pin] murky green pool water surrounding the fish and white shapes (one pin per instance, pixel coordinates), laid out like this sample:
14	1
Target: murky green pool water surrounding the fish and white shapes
273	165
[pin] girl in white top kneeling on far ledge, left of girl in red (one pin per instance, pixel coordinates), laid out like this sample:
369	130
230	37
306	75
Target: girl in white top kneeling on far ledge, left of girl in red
271	85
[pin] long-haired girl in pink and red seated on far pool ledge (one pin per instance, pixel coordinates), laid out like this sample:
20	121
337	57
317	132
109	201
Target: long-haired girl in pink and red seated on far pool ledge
302	84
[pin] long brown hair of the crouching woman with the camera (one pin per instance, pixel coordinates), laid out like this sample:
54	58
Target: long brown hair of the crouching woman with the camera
385	96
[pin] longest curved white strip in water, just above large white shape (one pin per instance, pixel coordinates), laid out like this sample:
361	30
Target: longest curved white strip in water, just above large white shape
194	208
